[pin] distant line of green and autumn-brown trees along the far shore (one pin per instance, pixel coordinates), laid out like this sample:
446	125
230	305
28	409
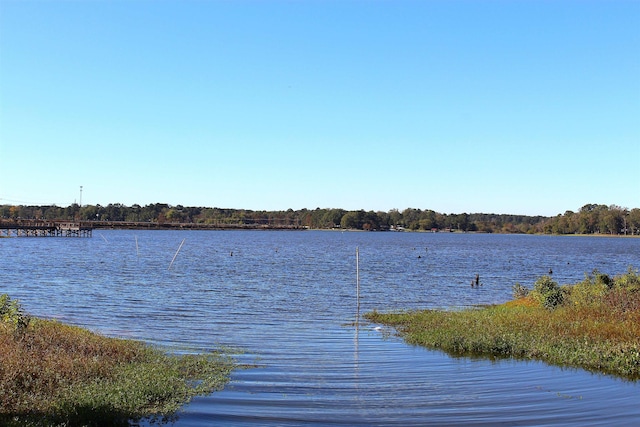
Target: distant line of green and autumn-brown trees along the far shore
590	219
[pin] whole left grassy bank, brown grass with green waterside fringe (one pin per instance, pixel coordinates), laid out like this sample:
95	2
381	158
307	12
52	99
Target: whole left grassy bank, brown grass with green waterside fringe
56	374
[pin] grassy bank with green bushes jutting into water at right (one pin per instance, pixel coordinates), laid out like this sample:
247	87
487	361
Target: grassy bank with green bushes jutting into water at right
594	325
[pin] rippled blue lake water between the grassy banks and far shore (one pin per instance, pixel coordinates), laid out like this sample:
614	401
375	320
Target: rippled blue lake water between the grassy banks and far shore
288	300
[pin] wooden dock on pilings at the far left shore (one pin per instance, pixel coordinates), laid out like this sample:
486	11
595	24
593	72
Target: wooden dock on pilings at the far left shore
36	228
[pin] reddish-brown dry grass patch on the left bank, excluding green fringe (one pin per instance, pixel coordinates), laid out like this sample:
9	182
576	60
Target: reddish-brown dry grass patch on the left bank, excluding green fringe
50	357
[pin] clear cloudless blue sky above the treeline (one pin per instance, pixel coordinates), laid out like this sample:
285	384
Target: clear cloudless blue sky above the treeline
521	107
